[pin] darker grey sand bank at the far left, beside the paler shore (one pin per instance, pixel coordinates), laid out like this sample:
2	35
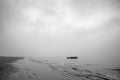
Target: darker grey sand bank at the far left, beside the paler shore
6	67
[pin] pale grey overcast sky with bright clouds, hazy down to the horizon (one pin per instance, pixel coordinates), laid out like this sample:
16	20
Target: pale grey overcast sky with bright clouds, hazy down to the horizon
86	28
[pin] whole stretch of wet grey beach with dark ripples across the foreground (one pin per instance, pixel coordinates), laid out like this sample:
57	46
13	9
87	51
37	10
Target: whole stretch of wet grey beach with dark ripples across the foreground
16	68
